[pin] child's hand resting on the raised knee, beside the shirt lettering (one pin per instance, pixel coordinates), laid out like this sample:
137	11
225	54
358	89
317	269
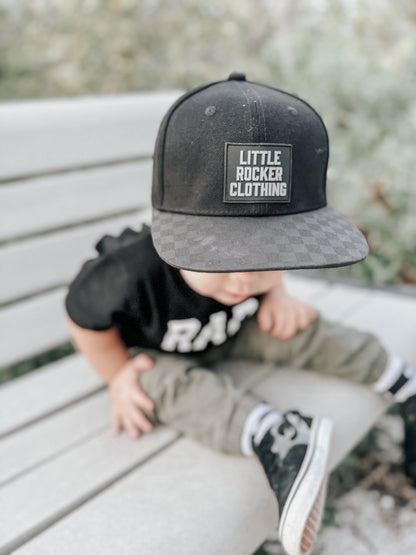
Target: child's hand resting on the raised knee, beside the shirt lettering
282	316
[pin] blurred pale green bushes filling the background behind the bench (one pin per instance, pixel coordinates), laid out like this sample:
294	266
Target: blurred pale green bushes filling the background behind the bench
352	60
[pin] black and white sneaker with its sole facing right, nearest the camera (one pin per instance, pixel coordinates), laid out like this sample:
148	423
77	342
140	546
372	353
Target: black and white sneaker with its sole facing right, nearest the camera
294	455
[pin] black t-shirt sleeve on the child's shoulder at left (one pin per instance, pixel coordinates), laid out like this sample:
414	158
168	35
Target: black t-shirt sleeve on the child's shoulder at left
97	293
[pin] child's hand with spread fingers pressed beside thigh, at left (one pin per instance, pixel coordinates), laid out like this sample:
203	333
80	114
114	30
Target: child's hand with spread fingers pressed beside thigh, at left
128	398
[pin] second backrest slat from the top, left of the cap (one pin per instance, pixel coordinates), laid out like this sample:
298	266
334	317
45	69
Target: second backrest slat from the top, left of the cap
46	203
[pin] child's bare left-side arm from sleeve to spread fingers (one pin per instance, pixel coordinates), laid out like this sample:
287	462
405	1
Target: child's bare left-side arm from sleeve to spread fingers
109	356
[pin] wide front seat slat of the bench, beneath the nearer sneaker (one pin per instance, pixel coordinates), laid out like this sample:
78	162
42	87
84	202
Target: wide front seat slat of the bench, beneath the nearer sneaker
164	493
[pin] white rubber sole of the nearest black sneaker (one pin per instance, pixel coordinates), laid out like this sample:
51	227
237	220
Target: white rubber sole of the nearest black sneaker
302	514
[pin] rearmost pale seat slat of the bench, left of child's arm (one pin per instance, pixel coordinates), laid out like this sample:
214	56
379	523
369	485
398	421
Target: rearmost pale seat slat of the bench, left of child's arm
46	390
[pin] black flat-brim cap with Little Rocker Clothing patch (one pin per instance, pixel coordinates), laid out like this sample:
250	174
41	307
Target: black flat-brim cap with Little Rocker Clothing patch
239	180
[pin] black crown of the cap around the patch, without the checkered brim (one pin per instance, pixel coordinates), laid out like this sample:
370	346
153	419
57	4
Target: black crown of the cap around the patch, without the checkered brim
190	152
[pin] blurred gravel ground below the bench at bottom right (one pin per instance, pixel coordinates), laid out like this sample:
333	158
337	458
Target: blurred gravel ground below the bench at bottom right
376	514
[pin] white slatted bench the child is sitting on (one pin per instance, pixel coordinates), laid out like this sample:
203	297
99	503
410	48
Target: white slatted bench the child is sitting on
70	171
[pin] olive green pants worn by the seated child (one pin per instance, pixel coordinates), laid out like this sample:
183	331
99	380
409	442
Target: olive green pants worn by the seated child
207	406
